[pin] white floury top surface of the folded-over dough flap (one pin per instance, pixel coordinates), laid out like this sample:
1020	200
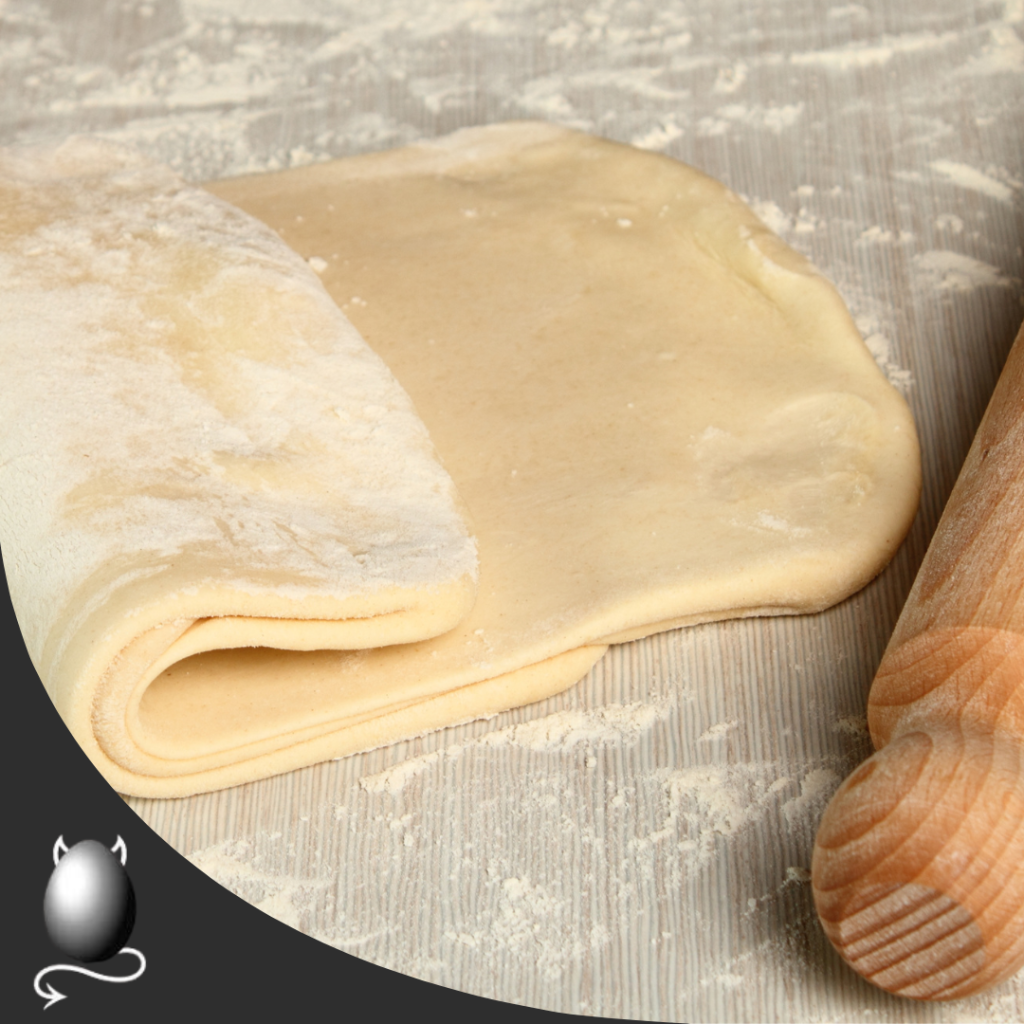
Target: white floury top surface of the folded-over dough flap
200	361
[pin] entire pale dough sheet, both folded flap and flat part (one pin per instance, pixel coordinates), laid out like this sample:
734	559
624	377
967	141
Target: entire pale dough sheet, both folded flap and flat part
656	412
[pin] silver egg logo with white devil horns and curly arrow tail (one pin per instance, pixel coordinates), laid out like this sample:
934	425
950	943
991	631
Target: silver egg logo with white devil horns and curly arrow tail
90	912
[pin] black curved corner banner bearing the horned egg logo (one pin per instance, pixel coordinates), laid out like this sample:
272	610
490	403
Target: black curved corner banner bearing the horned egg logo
195	952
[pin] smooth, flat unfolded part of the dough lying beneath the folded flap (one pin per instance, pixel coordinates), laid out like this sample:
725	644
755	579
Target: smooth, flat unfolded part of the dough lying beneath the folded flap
656	413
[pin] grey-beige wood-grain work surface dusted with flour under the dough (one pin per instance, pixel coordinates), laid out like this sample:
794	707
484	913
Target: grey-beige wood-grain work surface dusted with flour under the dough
639	846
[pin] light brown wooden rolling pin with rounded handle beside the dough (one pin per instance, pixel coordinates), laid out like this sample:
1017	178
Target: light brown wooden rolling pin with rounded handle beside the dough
919	864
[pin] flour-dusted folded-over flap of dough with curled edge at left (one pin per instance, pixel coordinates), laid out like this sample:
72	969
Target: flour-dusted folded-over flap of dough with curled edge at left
197	452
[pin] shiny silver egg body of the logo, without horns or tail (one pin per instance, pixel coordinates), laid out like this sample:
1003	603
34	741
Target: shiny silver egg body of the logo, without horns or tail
90	906
